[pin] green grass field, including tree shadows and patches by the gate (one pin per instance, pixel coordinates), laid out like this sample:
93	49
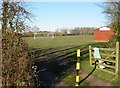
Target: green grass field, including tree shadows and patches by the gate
59	55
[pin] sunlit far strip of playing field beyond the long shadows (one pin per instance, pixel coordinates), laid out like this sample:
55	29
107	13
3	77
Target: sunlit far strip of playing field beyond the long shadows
65	41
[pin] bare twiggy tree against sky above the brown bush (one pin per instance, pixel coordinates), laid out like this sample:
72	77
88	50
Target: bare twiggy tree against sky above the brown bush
14	15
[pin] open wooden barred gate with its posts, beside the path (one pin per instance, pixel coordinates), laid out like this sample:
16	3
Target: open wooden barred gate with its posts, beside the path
109	56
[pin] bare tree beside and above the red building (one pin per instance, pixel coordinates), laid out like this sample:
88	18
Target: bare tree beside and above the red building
112	11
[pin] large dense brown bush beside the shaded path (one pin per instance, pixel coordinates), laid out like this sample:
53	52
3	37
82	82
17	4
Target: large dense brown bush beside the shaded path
16	63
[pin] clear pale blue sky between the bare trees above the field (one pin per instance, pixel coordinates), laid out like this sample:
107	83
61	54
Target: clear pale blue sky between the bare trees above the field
50	16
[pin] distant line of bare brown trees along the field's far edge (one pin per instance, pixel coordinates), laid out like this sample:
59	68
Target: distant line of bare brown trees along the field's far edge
62	31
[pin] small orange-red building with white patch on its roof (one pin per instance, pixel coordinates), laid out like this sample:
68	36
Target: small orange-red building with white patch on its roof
103	34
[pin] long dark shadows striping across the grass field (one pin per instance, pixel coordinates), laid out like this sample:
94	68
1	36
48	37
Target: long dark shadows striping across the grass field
55	65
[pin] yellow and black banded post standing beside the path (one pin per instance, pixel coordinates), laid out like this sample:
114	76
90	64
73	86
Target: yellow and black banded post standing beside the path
78	68
